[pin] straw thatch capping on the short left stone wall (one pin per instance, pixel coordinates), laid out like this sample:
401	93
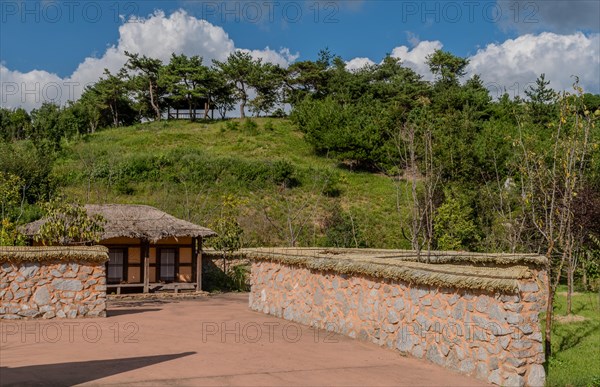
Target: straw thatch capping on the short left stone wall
97	254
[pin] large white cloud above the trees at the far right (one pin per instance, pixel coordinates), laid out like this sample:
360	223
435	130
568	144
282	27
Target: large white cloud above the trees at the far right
516	63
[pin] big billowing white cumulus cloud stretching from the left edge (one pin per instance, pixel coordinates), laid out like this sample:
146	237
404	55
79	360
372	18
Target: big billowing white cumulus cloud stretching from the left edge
157	36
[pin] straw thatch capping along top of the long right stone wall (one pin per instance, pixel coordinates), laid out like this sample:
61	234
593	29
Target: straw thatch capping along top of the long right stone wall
450	270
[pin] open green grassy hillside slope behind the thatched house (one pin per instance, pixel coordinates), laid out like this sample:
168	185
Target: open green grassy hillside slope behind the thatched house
281	189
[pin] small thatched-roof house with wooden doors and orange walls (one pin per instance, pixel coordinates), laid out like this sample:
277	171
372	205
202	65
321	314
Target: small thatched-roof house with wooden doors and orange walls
148	248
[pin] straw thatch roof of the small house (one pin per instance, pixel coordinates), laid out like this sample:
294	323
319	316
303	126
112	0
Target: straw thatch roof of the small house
136	221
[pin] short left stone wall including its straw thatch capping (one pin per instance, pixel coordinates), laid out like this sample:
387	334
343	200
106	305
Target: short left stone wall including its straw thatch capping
52	285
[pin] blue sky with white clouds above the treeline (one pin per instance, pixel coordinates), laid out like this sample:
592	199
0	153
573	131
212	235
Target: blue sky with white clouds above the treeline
508	41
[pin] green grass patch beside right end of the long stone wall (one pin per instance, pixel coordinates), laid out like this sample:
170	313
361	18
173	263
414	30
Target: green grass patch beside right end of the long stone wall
576	345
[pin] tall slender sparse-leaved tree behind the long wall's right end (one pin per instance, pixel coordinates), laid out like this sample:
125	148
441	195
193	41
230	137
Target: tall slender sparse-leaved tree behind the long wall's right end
552	177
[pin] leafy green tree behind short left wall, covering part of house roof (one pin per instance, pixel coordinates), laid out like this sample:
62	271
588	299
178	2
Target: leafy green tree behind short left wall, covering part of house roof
67	223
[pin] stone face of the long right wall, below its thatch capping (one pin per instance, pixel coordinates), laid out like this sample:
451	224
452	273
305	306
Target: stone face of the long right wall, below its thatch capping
492	335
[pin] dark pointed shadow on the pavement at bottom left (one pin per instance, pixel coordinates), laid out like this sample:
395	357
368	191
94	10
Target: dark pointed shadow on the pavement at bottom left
63	374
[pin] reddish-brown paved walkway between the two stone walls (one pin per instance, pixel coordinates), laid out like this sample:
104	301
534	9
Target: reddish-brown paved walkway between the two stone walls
213	341
